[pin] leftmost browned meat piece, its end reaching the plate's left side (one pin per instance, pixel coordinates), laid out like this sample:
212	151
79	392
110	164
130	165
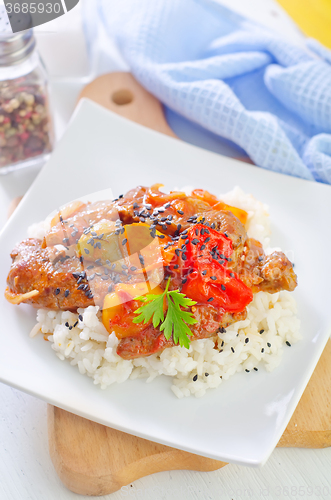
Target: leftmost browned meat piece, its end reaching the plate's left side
62	282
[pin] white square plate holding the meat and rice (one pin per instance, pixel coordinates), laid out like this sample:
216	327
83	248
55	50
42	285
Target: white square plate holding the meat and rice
244	418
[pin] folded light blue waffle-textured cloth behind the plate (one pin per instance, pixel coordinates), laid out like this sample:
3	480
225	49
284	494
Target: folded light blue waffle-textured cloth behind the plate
230	75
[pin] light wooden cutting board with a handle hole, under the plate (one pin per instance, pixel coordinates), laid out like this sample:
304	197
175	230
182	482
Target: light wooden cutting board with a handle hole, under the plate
92	459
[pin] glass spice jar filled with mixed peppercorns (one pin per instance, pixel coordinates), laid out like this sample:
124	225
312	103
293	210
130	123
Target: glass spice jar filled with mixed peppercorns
26	132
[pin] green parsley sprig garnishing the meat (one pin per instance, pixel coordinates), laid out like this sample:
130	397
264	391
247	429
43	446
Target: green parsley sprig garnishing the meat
175	322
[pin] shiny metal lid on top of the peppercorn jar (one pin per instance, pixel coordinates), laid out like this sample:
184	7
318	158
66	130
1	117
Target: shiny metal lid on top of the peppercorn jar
14	47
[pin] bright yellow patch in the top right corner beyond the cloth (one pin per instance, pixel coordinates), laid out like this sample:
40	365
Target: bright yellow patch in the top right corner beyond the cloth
312	16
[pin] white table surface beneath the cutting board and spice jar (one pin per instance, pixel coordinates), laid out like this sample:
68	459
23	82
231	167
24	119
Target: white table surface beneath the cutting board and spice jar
26	471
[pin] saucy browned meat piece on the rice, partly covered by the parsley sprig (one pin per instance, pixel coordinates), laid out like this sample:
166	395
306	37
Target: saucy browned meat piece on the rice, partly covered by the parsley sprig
151	340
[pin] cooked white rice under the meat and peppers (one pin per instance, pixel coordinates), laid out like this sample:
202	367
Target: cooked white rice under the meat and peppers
271	323
